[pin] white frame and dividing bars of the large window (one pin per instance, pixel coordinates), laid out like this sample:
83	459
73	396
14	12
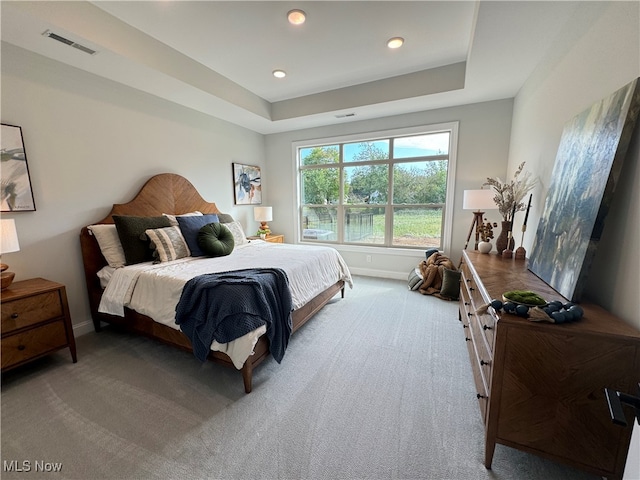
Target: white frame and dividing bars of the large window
446	238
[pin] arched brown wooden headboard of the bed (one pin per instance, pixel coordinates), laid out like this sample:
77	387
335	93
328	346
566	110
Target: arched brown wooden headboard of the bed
163	193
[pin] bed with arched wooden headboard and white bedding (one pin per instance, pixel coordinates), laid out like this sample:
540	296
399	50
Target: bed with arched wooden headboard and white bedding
171	194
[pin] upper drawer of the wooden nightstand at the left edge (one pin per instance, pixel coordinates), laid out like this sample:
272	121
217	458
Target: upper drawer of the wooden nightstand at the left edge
31	310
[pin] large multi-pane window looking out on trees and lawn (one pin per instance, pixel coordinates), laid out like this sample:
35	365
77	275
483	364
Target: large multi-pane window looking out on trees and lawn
389	189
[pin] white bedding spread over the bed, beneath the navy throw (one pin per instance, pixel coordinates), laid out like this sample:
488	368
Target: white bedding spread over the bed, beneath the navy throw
154	289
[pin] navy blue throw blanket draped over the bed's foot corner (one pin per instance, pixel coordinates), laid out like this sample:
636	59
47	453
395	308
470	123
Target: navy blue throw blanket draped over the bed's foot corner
225	306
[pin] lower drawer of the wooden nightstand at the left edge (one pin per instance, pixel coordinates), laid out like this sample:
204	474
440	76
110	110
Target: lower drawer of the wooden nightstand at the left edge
33	343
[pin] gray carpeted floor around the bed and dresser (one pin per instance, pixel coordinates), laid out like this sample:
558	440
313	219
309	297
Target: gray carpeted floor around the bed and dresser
377	386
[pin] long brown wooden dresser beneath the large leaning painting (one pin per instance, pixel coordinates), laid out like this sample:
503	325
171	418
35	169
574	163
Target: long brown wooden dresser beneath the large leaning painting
540	386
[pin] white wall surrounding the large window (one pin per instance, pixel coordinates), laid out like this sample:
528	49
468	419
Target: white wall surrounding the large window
483	142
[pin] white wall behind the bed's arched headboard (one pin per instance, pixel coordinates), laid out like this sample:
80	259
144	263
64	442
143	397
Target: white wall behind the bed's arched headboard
90	143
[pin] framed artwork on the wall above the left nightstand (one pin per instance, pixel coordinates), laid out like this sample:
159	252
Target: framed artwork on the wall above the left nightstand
16	194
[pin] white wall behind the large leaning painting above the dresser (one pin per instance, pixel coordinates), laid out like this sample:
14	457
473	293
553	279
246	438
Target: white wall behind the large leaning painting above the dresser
598	53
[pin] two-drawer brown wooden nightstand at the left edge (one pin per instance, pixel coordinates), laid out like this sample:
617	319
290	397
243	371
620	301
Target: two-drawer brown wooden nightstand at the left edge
35	322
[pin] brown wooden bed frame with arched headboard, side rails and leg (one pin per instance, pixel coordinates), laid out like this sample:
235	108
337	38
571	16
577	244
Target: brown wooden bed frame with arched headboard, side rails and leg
172	194
